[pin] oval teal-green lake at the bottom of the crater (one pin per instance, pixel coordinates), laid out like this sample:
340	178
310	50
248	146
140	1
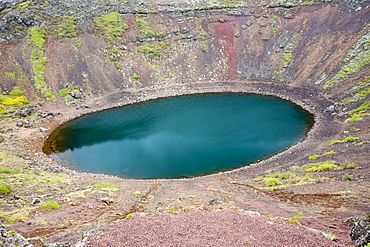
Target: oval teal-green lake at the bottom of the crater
179	137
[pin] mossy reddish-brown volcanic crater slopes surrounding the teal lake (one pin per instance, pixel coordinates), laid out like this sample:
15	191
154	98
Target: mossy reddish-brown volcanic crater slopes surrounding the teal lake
59	61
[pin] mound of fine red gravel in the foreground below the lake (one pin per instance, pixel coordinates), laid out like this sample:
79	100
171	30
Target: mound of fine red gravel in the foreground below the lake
204	228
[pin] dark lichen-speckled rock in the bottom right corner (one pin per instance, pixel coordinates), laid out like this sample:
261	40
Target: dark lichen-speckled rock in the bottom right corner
360	232
